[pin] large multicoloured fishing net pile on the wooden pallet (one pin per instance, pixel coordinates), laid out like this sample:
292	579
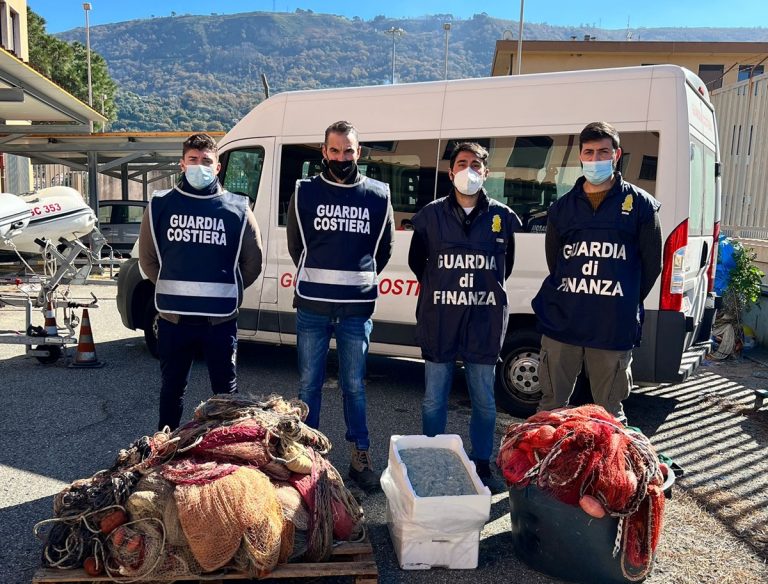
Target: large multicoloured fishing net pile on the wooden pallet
244	486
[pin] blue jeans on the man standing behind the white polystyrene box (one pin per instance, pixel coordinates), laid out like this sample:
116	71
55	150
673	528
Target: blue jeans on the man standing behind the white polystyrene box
434	409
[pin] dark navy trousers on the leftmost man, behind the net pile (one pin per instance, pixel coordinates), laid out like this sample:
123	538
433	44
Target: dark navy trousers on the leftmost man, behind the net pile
178	344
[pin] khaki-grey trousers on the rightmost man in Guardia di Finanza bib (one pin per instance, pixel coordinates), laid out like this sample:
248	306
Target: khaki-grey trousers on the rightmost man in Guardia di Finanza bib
610	375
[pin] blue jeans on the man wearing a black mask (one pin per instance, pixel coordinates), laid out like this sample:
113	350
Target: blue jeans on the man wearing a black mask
313	335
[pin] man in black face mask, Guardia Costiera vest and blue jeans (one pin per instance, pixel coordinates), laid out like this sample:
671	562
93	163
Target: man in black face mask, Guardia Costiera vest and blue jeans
340	234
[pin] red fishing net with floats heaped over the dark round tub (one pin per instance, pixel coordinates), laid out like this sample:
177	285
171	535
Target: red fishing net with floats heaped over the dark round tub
584	456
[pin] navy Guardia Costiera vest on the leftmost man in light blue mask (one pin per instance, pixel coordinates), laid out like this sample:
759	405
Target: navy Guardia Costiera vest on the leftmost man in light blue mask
198	242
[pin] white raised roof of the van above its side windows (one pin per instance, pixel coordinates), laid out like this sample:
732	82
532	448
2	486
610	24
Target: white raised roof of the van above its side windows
556	101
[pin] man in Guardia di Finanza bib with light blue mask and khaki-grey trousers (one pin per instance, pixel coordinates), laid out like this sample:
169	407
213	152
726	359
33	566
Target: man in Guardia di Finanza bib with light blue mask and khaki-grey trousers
603	248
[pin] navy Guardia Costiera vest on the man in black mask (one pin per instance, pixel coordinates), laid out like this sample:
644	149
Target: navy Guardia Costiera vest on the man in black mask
341	227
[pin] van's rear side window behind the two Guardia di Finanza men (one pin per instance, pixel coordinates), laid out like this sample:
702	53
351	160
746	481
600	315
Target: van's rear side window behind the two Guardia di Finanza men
529	173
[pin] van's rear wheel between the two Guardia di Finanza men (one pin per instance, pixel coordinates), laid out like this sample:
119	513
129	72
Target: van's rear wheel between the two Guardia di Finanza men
517	377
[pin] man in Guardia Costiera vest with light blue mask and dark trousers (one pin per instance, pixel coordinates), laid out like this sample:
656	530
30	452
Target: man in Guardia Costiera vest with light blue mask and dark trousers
201	247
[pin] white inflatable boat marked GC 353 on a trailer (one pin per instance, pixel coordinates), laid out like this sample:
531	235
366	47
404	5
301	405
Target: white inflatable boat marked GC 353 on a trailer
55	213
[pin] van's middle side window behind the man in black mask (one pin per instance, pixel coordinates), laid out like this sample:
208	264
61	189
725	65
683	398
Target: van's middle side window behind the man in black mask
407	166
